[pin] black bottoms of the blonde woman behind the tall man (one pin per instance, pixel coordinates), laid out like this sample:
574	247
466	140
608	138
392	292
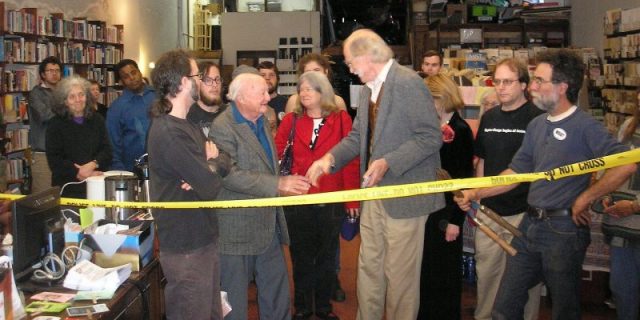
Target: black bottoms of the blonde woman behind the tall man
441	274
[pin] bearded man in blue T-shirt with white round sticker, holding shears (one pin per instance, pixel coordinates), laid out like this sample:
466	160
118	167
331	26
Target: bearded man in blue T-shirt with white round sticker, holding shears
556	226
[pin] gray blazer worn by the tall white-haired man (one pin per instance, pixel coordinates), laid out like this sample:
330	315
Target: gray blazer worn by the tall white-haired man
407	136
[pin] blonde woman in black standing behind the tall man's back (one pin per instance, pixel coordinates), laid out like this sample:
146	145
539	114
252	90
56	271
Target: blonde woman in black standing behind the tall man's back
441	278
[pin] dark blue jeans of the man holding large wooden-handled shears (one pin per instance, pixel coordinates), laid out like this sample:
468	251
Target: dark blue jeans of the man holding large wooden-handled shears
553	252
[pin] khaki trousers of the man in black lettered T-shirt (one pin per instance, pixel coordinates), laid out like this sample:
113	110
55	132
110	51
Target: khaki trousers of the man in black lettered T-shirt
490	265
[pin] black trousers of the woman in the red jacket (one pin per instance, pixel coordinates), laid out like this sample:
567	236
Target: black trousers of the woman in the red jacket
314	230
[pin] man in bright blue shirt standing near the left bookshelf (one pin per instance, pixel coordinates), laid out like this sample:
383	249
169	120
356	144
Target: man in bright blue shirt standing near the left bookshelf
128	116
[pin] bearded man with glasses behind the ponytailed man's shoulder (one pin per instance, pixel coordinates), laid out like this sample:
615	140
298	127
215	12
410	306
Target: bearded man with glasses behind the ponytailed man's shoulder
210	105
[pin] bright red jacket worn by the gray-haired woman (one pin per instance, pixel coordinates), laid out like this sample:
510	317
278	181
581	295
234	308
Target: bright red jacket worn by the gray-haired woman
337	125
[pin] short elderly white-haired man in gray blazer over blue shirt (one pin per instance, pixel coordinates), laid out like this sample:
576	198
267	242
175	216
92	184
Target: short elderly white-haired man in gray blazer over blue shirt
251	238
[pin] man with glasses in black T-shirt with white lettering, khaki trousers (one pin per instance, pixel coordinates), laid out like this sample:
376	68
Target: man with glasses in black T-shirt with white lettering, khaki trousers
499	137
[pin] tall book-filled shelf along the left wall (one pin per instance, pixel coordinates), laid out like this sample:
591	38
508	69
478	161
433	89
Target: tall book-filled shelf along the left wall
87	47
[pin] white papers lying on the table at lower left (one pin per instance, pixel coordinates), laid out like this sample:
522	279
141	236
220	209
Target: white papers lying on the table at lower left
88	276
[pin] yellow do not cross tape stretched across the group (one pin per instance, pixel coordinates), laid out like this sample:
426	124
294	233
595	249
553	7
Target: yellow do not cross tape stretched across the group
386	192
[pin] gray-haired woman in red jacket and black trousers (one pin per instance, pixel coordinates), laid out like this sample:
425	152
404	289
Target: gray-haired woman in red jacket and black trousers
319	125
